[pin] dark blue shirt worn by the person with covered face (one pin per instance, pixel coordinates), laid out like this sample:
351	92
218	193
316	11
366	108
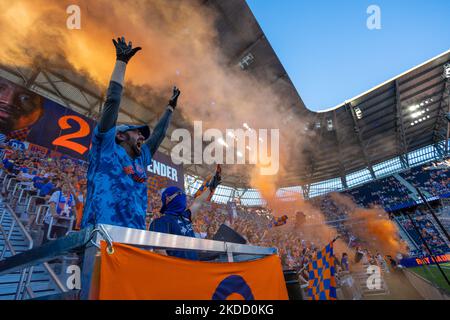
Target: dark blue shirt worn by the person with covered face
178	225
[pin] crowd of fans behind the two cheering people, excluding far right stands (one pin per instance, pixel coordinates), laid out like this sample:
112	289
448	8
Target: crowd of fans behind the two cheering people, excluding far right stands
46	176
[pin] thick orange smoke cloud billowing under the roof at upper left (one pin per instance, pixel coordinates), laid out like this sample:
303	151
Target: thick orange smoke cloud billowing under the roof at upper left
180	46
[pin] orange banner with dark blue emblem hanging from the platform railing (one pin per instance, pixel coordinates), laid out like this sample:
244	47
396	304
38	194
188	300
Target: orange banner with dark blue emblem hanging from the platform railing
135	274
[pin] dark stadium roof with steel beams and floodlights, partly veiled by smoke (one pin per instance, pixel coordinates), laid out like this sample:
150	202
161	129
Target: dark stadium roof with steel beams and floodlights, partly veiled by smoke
356	135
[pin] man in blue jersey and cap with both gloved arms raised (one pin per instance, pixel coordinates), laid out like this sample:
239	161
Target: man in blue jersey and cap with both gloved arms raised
118	159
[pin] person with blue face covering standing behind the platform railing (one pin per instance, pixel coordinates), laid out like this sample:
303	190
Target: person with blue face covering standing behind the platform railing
175	219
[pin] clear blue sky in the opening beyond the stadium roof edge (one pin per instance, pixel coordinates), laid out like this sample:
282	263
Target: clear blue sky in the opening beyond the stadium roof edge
332	56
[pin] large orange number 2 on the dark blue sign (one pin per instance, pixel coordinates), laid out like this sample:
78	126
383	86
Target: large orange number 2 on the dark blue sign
64	140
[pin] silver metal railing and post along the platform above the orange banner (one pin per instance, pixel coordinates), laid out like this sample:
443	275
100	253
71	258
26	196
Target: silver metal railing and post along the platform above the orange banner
114	234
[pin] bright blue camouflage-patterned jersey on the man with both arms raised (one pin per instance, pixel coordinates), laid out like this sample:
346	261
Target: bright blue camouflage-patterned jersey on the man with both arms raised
117	184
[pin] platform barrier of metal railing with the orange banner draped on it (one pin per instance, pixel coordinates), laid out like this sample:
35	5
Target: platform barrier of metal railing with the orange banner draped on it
248	263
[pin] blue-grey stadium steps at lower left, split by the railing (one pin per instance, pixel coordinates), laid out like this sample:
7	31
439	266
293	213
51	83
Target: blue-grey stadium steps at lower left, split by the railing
29	283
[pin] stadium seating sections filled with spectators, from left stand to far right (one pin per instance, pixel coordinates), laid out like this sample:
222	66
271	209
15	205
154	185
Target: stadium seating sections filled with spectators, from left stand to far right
26	197
